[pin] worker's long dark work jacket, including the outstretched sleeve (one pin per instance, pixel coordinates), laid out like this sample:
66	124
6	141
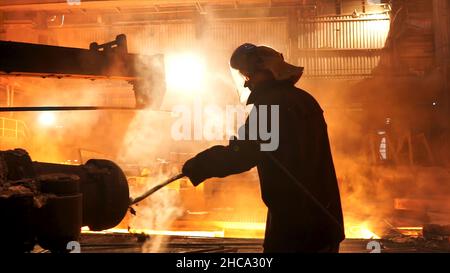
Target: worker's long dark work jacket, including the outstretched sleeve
295	223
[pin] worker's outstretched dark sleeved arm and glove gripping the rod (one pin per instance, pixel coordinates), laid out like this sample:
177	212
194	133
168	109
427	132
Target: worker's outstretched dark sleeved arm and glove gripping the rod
220	161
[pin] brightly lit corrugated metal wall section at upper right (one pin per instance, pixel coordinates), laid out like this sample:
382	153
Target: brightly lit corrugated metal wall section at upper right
342	46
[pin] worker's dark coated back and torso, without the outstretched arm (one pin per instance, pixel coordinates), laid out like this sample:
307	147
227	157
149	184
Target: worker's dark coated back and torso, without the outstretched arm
295	222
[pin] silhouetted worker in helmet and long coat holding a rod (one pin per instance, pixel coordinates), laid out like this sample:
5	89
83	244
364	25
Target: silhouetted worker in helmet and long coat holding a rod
297	175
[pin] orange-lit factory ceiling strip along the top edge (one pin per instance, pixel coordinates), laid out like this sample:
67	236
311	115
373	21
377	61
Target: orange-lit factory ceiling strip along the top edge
84	12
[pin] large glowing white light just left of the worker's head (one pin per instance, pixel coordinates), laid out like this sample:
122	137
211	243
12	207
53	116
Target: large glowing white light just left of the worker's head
185	72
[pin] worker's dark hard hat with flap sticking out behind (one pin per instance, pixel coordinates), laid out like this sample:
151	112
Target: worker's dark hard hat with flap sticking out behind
248	58
